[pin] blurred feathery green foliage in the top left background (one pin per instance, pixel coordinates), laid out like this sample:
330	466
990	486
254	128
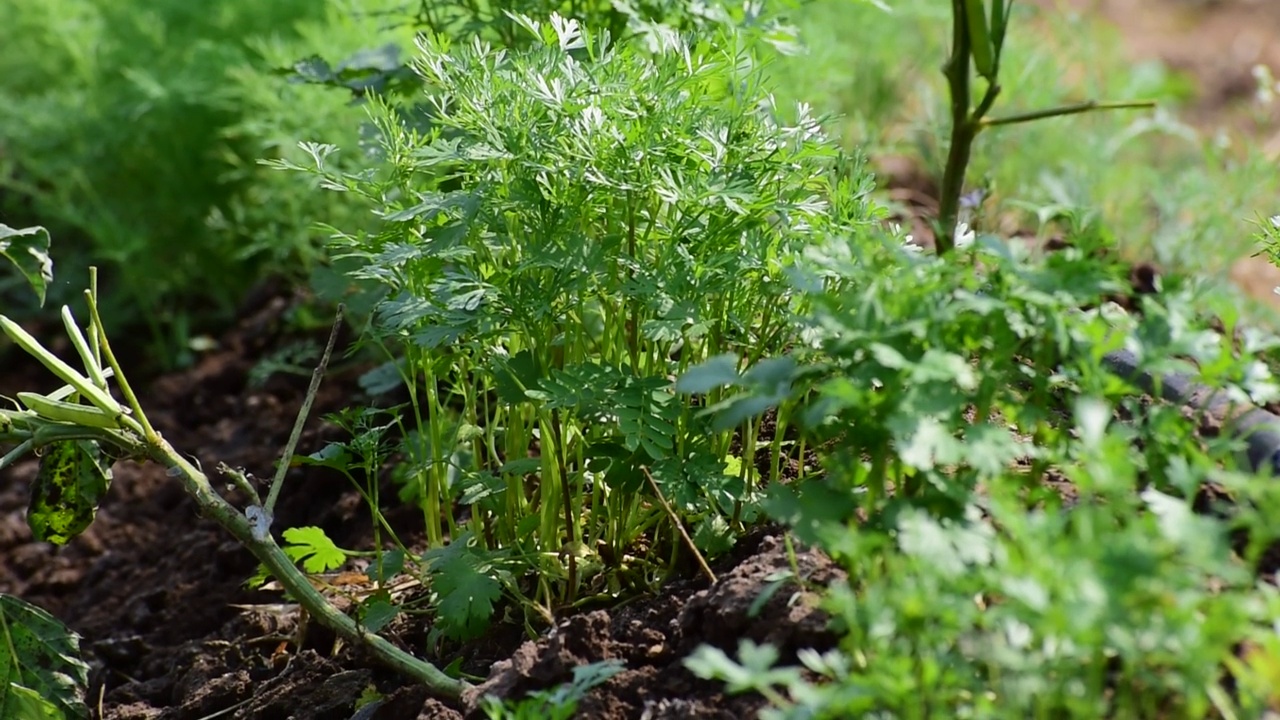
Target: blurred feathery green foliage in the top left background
94	94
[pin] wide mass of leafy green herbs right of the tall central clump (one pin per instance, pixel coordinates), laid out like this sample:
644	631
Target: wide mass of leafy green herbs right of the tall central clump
1030	544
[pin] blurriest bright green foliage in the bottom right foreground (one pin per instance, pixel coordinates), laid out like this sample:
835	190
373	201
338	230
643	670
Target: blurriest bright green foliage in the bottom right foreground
1030	616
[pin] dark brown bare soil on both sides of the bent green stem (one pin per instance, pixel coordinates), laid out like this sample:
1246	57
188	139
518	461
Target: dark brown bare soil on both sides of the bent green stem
156	590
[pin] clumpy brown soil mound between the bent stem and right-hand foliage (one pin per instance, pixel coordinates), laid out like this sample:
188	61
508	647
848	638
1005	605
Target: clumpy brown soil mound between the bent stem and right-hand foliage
652	639
